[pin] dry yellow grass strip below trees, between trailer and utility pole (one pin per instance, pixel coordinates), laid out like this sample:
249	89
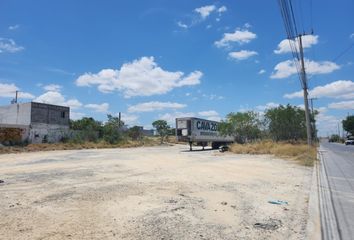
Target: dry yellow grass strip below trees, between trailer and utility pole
299	152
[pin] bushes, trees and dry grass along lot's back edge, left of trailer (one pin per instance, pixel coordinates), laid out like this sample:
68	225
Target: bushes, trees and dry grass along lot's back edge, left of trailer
87	133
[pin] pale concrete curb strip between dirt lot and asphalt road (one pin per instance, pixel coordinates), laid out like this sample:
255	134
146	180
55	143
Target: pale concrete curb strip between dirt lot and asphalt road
313	228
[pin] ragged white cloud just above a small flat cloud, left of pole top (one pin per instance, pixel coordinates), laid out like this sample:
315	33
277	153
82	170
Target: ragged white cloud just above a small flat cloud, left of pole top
239	36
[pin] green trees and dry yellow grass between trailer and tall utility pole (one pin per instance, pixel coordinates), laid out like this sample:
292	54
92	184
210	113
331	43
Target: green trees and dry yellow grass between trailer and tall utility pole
281	131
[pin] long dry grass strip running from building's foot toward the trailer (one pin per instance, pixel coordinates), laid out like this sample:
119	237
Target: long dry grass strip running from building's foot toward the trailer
147	141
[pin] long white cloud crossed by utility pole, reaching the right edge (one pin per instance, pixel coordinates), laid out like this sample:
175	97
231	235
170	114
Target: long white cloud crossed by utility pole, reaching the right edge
338	89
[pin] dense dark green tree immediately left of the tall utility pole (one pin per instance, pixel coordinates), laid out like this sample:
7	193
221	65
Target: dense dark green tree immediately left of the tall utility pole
286	123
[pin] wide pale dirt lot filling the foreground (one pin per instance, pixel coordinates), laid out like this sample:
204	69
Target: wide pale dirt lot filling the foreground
151	193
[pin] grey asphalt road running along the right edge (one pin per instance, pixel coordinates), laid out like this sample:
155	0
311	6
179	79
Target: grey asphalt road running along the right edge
336	190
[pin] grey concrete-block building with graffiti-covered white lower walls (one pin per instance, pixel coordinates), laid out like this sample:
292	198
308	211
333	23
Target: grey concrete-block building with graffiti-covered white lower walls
33	122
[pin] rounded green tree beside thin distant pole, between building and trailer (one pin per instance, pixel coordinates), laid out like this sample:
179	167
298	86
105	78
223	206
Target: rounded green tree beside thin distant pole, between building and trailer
112	130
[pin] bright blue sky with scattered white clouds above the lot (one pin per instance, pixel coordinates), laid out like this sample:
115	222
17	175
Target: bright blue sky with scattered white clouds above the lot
163	59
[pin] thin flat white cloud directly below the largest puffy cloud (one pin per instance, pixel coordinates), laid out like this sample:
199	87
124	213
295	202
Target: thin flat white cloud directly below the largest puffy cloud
154	106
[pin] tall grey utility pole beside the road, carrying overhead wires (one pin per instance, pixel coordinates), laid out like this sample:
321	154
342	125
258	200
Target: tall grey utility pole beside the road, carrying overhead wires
304	86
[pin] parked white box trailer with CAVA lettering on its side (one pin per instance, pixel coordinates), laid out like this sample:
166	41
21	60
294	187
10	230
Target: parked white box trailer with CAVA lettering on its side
200	131
